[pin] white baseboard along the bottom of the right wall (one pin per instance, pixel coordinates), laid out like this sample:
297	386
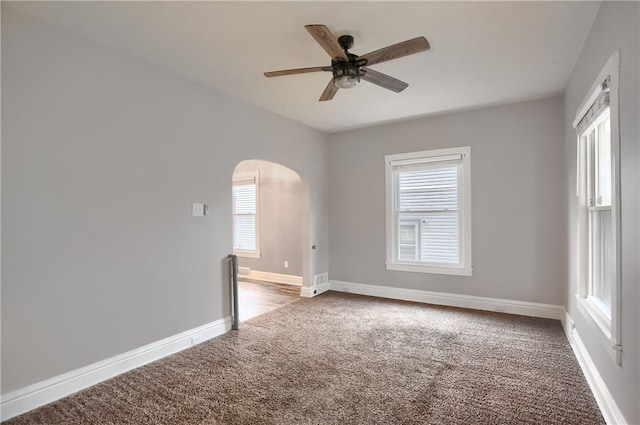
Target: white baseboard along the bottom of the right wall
610	411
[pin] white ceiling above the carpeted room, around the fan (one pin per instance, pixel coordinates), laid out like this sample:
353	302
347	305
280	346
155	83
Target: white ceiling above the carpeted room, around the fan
482	53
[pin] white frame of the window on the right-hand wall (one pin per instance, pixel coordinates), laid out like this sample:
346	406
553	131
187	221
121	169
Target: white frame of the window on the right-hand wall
608	328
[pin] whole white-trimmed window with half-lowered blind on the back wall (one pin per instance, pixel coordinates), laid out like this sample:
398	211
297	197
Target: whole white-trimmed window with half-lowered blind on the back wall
429	211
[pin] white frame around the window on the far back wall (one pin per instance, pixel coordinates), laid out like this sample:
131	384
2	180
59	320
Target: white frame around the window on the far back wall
464	268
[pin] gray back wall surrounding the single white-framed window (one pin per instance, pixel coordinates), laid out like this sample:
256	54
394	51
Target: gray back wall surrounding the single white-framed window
517	172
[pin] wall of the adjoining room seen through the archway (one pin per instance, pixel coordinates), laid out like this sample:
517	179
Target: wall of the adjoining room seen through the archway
280	214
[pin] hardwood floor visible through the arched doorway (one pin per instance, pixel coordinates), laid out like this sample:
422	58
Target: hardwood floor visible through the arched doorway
257	297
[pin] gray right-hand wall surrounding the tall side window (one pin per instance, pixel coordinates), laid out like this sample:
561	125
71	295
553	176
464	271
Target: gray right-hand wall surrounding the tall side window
615	27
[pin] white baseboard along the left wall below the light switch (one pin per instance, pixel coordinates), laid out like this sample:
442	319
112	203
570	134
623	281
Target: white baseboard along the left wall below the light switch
30	397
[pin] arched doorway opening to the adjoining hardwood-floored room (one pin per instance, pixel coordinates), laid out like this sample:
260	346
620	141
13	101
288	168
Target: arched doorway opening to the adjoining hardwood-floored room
268	222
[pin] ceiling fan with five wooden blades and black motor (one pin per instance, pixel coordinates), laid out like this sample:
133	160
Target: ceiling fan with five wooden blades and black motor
348	68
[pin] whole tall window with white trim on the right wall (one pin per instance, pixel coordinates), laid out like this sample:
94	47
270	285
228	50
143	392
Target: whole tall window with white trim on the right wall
598	198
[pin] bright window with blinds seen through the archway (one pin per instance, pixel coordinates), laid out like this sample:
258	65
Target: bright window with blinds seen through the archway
246	241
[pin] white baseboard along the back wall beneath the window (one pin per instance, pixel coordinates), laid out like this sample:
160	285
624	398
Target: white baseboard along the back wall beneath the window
548	311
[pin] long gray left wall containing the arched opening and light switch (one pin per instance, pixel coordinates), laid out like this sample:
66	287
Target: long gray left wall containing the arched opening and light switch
102	157
